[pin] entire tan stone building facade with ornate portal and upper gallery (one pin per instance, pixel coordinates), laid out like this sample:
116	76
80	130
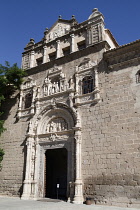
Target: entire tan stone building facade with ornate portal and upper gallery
82	94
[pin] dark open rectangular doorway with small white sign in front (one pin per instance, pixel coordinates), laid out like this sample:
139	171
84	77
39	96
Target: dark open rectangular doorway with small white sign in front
56	173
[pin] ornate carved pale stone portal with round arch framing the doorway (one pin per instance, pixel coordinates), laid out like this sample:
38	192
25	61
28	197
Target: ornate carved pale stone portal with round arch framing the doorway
56	135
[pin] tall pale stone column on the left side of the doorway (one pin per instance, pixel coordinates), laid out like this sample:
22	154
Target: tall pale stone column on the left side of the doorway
28	180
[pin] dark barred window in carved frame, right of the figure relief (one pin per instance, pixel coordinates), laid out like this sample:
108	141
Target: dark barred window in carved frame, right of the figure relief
87	84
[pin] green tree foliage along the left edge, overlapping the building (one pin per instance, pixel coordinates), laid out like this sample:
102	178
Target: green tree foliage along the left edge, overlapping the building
11	77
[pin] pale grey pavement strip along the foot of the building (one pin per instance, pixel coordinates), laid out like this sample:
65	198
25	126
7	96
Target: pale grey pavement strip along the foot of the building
7	203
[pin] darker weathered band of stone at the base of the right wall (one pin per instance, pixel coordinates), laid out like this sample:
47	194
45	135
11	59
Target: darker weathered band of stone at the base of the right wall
103	187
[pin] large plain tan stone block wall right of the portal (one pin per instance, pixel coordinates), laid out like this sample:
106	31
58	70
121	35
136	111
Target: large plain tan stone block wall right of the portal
111	146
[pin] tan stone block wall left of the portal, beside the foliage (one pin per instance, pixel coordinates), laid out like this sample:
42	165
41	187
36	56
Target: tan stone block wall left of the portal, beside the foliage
13	143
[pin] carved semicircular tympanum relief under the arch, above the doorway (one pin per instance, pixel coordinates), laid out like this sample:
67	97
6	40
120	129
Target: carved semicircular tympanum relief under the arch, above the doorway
56	125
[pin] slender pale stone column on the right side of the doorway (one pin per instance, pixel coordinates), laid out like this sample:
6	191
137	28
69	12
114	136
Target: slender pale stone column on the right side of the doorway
78	198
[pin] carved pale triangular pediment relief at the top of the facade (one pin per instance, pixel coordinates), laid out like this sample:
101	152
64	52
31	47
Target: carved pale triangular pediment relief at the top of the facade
60	28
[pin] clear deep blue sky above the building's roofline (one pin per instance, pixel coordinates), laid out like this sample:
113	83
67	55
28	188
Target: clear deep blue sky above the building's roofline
21	20
